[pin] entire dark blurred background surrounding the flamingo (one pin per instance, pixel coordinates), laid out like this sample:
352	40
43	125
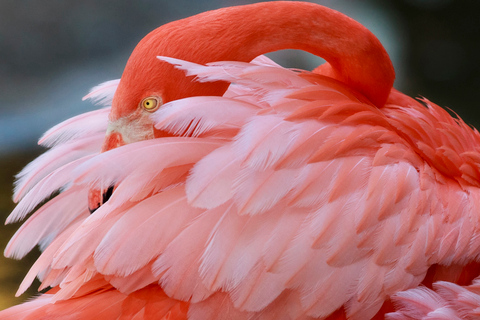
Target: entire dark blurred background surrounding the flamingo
53	51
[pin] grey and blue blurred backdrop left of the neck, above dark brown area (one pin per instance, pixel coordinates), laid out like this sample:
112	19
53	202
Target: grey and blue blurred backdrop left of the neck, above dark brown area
52	52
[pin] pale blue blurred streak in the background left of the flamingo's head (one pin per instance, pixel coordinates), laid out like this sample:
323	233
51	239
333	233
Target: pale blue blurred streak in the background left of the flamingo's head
25	120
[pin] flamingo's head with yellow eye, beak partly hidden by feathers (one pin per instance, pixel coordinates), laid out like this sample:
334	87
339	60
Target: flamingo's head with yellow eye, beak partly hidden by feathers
147	83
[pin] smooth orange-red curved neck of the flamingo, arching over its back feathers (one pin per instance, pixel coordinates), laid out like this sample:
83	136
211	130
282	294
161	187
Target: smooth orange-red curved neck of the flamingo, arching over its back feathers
244	32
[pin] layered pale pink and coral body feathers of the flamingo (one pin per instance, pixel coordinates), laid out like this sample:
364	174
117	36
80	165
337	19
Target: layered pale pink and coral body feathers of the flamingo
278	199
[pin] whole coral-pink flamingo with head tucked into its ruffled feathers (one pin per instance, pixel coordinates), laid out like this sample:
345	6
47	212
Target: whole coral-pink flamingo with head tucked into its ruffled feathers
215	184
